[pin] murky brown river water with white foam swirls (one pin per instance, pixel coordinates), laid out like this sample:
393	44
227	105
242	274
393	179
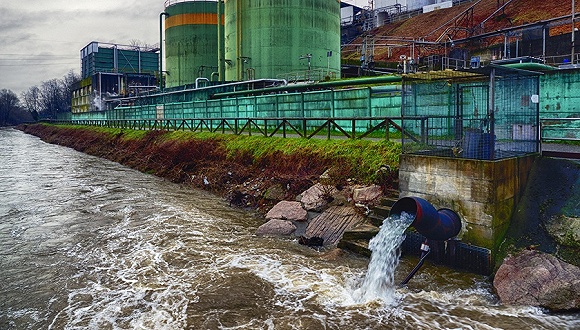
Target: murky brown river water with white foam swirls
89	244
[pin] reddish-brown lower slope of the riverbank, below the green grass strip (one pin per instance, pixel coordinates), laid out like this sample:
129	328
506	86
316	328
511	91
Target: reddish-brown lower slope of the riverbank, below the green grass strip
244	181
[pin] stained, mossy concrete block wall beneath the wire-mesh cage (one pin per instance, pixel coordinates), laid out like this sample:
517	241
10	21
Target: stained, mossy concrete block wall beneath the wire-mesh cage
483	193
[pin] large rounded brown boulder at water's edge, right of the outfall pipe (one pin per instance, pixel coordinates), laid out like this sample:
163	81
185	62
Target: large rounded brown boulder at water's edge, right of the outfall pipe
538	279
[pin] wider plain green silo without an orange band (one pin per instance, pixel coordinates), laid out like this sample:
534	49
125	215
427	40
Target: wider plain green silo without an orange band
282	39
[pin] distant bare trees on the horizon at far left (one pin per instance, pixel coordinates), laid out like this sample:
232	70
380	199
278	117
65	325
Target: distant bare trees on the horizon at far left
44	101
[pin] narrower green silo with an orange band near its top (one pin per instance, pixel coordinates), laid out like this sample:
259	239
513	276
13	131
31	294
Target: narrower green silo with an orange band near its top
191	41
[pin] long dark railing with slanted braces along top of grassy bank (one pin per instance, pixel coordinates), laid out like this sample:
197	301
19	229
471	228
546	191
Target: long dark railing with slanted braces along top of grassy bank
349	127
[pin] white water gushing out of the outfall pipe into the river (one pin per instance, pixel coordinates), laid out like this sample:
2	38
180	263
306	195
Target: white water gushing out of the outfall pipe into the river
378	283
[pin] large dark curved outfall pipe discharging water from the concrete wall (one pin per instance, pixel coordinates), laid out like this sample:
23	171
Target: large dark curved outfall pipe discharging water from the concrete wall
437	225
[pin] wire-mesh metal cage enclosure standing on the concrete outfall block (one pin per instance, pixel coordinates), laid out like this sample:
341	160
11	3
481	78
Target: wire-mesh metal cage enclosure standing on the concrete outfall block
488	113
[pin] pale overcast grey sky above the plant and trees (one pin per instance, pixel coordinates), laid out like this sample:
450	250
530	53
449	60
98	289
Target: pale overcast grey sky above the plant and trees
41	40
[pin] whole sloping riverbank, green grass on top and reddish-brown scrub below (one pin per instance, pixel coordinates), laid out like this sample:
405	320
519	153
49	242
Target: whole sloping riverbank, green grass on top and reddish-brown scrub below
247	170
